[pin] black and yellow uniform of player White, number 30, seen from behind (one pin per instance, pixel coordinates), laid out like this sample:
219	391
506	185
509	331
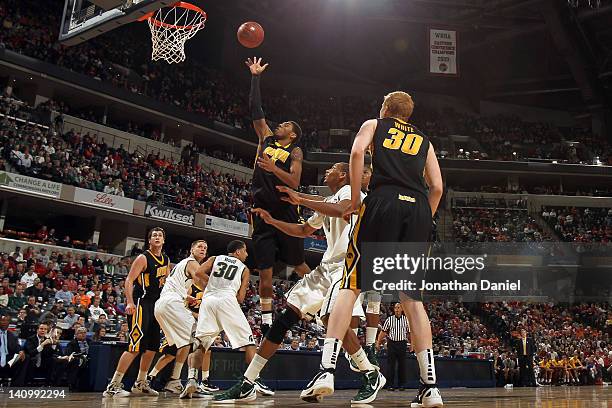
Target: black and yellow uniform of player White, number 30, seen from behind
397	207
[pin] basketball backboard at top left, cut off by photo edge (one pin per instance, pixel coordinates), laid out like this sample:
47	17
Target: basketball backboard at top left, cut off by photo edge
85	19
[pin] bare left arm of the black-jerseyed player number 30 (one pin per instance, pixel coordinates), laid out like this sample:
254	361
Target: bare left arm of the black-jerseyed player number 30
362	142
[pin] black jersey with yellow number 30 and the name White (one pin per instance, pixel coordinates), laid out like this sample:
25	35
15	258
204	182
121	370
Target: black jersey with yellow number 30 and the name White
399	153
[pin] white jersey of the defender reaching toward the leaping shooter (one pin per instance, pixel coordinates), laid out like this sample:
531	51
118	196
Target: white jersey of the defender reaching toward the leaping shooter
336	229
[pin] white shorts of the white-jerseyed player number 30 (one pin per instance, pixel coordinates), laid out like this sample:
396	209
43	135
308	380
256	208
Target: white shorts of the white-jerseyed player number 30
223	313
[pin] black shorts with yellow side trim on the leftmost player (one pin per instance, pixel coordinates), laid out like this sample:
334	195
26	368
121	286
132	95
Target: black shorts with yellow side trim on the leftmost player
144	329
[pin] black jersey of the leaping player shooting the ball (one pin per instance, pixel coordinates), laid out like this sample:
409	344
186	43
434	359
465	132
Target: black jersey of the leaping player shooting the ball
265	194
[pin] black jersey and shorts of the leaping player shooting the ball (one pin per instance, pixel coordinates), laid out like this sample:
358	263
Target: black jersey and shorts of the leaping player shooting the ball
270	244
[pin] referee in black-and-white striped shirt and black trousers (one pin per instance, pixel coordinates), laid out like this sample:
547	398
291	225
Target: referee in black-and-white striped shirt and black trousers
397	329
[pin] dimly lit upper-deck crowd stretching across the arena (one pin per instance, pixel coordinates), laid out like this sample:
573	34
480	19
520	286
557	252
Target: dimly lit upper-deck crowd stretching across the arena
31	28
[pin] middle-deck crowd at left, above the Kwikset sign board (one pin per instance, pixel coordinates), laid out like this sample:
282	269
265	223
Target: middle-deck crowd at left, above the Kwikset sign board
81	160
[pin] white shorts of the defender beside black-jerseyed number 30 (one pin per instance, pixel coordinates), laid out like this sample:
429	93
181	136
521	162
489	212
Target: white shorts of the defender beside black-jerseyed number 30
317	291
